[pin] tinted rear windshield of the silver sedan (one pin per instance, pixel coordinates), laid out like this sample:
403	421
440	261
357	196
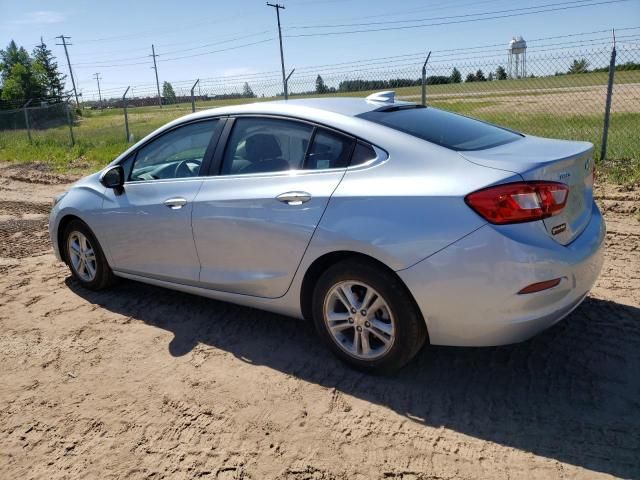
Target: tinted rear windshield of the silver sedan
443	128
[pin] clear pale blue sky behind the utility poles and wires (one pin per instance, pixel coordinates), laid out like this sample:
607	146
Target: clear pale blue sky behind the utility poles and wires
120	32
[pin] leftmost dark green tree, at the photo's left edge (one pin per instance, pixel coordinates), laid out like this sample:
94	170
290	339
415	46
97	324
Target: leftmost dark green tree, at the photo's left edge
16	74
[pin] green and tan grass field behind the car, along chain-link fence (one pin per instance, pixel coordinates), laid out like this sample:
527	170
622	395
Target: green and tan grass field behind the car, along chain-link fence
567	106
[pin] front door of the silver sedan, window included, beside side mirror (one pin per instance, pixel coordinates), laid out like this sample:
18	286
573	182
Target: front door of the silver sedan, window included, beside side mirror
148	225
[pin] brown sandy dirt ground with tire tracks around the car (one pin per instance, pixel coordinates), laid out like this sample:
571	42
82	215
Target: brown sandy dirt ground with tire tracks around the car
140	382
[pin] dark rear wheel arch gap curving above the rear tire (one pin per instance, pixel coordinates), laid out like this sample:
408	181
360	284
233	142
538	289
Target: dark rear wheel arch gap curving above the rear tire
322	263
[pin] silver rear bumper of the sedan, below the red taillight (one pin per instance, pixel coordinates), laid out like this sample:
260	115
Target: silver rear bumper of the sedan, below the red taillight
468	292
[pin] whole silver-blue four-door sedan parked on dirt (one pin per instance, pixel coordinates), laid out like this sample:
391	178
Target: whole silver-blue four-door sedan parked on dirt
388	224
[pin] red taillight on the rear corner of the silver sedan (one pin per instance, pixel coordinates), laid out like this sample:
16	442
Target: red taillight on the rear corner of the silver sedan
519	202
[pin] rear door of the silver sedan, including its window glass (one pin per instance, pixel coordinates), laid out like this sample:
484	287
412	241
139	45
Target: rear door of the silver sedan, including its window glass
253	220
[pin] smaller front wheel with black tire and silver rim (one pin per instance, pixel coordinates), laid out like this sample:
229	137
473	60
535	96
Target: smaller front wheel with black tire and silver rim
96	274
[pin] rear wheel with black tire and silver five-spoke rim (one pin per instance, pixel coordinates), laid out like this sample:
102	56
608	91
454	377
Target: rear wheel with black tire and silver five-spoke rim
398	321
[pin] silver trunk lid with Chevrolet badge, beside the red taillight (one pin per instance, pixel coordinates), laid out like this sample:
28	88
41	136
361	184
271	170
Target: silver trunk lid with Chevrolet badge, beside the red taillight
535	158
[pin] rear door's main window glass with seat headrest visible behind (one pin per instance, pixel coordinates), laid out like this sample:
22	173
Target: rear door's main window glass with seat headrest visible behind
261	145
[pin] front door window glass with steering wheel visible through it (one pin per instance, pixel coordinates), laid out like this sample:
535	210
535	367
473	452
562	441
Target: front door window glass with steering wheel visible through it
176	154
